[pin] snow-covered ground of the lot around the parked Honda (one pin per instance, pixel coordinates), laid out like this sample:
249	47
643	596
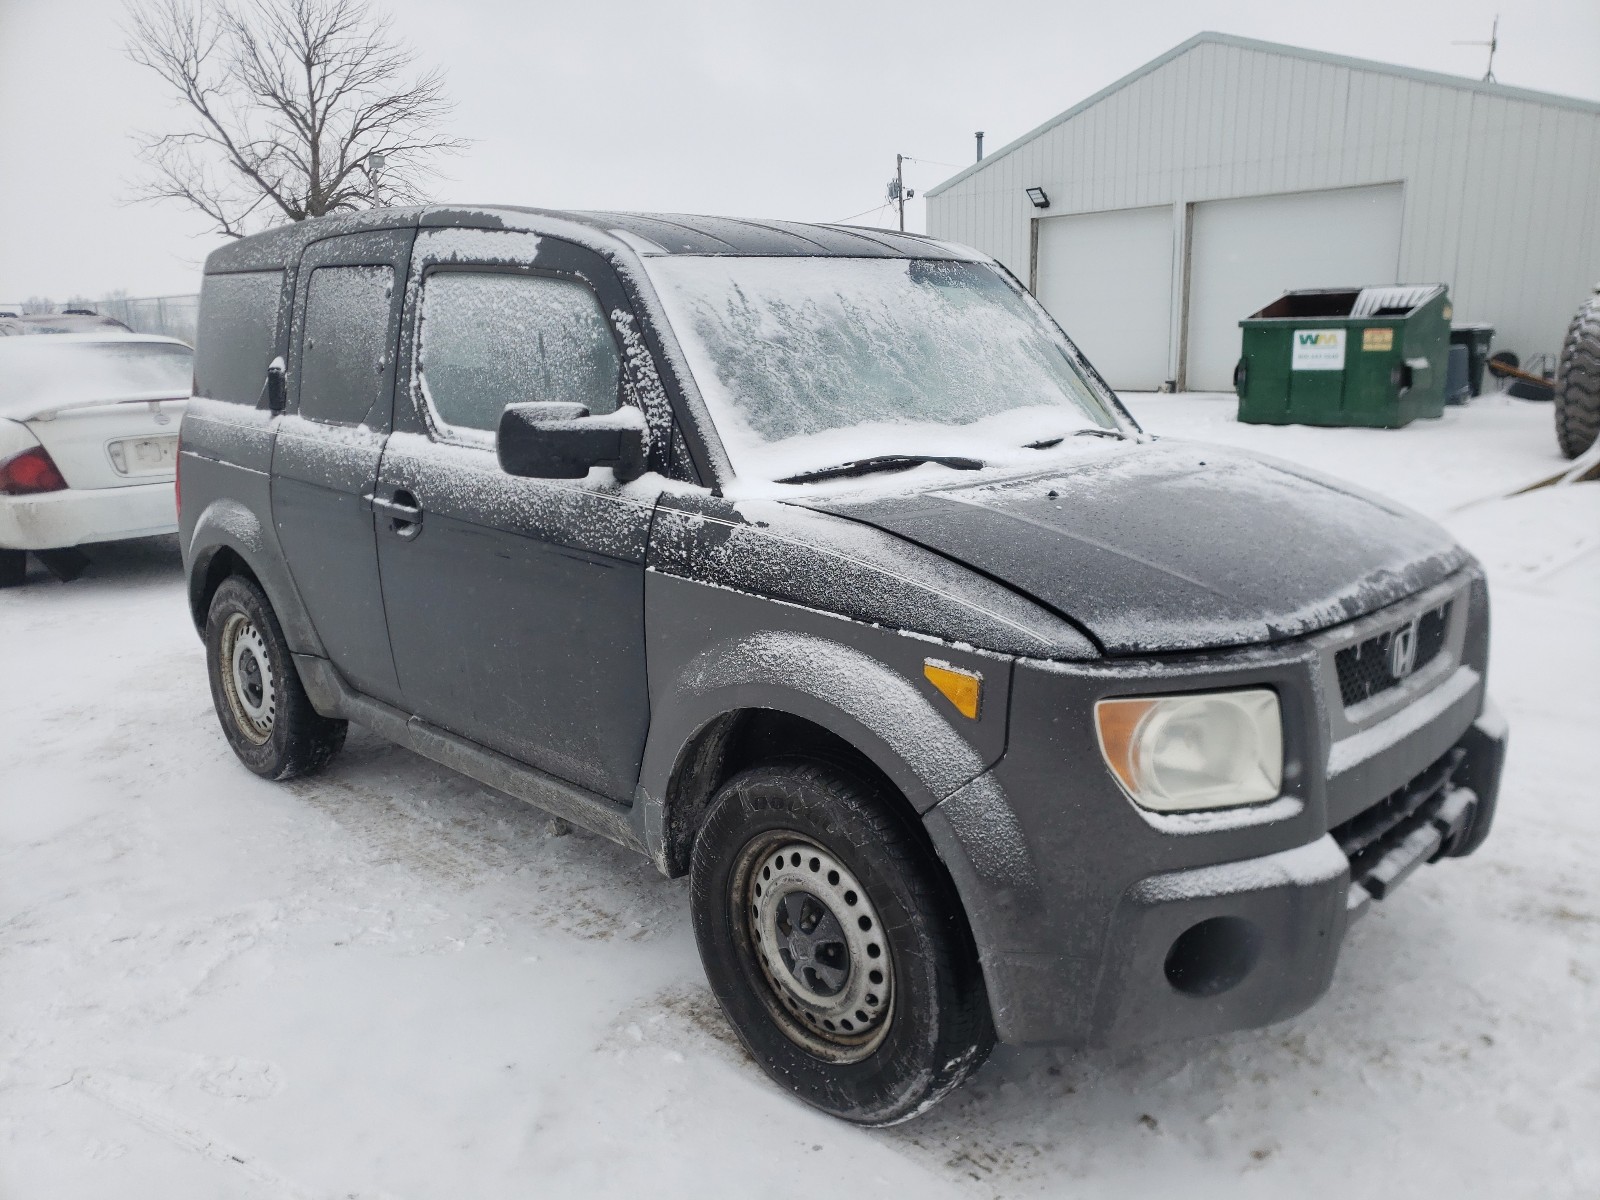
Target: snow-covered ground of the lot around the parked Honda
388	982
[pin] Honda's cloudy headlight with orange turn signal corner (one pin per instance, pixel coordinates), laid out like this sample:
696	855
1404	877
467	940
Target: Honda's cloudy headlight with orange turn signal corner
1199	751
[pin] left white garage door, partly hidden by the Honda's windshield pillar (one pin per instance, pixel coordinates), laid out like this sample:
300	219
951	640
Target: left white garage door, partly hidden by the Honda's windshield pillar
1108	279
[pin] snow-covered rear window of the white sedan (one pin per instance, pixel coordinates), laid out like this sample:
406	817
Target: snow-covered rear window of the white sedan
41	374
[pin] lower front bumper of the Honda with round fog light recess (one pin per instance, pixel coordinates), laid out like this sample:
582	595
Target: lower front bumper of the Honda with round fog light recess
1236	945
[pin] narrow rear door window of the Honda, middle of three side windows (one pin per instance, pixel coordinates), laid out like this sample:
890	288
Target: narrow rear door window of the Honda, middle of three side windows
345	356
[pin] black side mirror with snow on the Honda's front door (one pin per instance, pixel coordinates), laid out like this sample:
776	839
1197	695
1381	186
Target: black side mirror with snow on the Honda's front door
559	441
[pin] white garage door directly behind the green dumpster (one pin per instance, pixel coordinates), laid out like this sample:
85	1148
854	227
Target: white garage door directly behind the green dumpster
1247	254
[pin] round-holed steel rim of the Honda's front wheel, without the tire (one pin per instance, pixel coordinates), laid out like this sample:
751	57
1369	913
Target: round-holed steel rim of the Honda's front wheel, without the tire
820	948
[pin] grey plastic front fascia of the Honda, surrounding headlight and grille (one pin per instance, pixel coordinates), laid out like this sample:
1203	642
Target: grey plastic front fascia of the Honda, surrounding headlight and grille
1105	924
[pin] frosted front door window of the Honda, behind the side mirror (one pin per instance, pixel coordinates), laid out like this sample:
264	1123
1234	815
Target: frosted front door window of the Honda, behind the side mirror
489	342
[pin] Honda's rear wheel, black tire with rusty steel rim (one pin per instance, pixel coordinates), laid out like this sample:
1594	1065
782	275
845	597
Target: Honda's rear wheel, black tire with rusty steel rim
258	695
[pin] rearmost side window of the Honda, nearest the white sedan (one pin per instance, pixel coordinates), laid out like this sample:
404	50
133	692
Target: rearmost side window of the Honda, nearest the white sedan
238	335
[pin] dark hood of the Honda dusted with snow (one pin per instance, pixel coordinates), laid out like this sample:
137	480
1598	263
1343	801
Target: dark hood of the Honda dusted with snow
1177	546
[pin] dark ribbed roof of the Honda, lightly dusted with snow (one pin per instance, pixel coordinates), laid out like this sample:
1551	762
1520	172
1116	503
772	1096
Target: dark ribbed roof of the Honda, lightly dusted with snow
647	234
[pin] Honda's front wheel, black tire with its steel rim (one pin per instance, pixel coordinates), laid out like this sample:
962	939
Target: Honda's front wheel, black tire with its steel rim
895	1055
